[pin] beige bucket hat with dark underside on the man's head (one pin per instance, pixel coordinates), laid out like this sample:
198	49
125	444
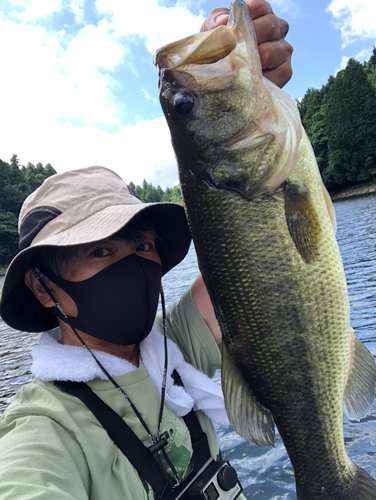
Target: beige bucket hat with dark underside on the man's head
79	207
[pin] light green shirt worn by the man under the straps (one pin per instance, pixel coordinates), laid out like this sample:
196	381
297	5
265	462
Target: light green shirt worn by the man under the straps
52	446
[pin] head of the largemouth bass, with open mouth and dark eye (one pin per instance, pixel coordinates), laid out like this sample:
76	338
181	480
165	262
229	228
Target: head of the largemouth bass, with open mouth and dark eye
220	109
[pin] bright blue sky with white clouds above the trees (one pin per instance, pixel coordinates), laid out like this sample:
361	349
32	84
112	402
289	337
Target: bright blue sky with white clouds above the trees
79	88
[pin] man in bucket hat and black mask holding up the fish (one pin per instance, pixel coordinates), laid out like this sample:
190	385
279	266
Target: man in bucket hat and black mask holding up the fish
89	268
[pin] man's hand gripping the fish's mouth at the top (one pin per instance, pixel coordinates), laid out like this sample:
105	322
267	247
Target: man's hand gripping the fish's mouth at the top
275	52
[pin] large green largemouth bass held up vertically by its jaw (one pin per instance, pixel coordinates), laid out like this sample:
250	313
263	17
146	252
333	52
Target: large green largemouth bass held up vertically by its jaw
263	227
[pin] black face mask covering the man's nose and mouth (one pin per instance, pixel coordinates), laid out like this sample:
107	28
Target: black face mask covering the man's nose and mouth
119	303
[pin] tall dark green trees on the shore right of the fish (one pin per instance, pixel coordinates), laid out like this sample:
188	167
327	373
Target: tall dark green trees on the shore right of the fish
340	120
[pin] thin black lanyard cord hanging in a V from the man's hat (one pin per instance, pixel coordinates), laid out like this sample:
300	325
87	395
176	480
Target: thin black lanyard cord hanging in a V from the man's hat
103	369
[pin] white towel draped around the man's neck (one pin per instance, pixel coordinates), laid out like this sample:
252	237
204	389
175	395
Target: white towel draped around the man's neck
54	361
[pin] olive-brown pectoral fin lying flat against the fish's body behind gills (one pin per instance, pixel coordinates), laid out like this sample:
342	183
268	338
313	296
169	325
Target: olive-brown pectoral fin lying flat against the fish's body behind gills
302	220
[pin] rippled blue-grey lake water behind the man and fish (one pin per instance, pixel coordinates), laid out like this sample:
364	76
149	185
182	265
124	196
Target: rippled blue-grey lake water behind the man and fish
266	473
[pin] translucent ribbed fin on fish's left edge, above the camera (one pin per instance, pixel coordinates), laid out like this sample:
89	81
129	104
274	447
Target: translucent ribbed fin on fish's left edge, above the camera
249	419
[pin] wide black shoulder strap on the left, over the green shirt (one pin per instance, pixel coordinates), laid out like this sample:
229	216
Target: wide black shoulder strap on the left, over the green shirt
127	441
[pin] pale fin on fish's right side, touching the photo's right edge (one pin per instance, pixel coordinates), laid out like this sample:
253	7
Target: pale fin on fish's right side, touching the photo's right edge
361	385
